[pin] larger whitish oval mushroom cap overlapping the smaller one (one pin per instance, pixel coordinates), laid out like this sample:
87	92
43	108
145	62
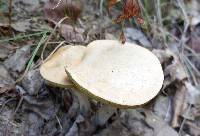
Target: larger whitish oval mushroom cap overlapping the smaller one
124	75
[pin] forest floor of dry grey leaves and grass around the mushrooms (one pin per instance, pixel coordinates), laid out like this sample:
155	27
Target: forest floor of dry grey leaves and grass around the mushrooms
31	29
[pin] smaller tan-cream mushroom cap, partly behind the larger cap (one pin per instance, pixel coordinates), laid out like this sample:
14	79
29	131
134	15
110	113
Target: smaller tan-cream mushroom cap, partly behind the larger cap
53	70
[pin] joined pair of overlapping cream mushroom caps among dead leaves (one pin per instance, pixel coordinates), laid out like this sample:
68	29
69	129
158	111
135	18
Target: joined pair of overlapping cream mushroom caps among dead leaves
122	75
